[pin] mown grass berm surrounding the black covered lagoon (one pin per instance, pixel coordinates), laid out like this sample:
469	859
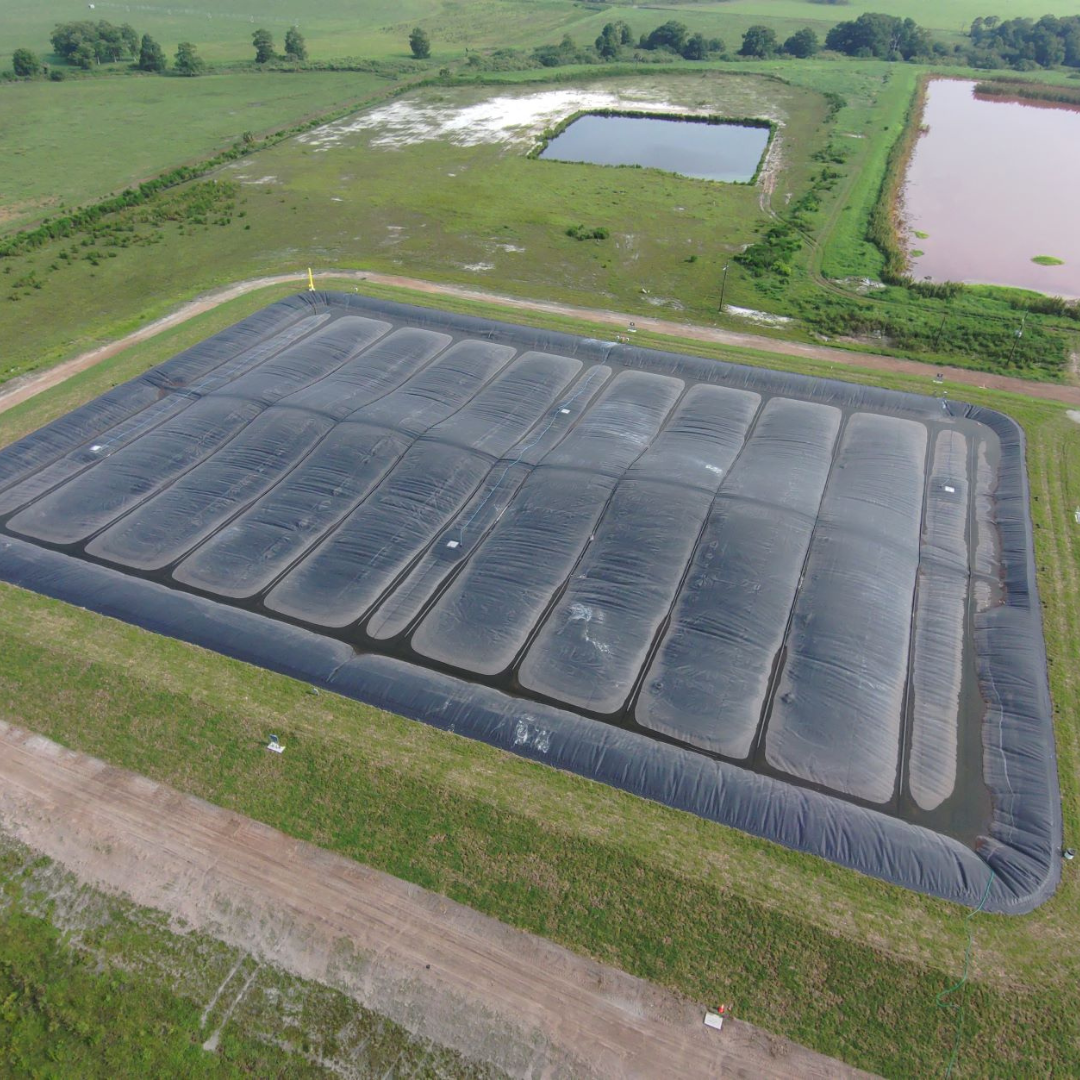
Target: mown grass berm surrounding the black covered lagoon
846	965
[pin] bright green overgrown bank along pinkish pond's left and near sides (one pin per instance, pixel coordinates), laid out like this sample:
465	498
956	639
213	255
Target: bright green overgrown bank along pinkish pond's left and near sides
870	142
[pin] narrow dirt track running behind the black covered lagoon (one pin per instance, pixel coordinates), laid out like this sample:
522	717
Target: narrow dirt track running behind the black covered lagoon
20	390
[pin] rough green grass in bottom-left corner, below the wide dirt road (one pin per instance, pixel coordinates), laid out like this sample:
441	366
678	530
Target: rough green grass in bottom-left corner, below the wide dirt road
92	985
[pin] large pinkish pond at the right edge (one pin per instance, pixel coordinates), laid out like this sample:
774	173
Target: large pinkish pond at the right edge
994	184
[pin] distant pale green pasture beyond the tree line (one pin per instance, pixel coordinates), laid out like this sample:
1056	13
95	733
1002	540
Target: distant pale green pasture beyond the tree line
380	29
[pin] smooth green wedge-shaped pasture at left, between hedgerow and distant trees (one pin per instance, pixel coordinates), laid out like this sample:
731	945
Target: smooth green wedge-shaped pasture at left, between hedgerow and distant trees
124	131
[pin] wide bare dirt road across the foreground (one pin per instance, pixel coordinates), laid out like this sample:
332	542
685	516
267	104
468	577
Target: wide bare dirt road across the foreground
441	970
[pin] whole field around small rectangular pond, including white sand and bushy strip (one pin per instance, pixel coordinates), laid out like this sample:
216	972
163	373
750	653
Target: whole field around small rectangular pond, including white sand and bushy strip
480	213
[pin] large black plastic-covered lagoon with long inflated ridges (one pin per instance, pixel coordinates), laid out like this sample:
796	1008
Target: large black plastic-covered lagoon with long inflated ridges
802	609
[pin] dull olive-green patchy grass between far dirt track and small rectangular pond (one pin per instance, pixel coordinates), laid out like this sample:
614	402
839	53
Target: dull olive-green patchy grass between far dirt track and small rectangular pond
485	208
